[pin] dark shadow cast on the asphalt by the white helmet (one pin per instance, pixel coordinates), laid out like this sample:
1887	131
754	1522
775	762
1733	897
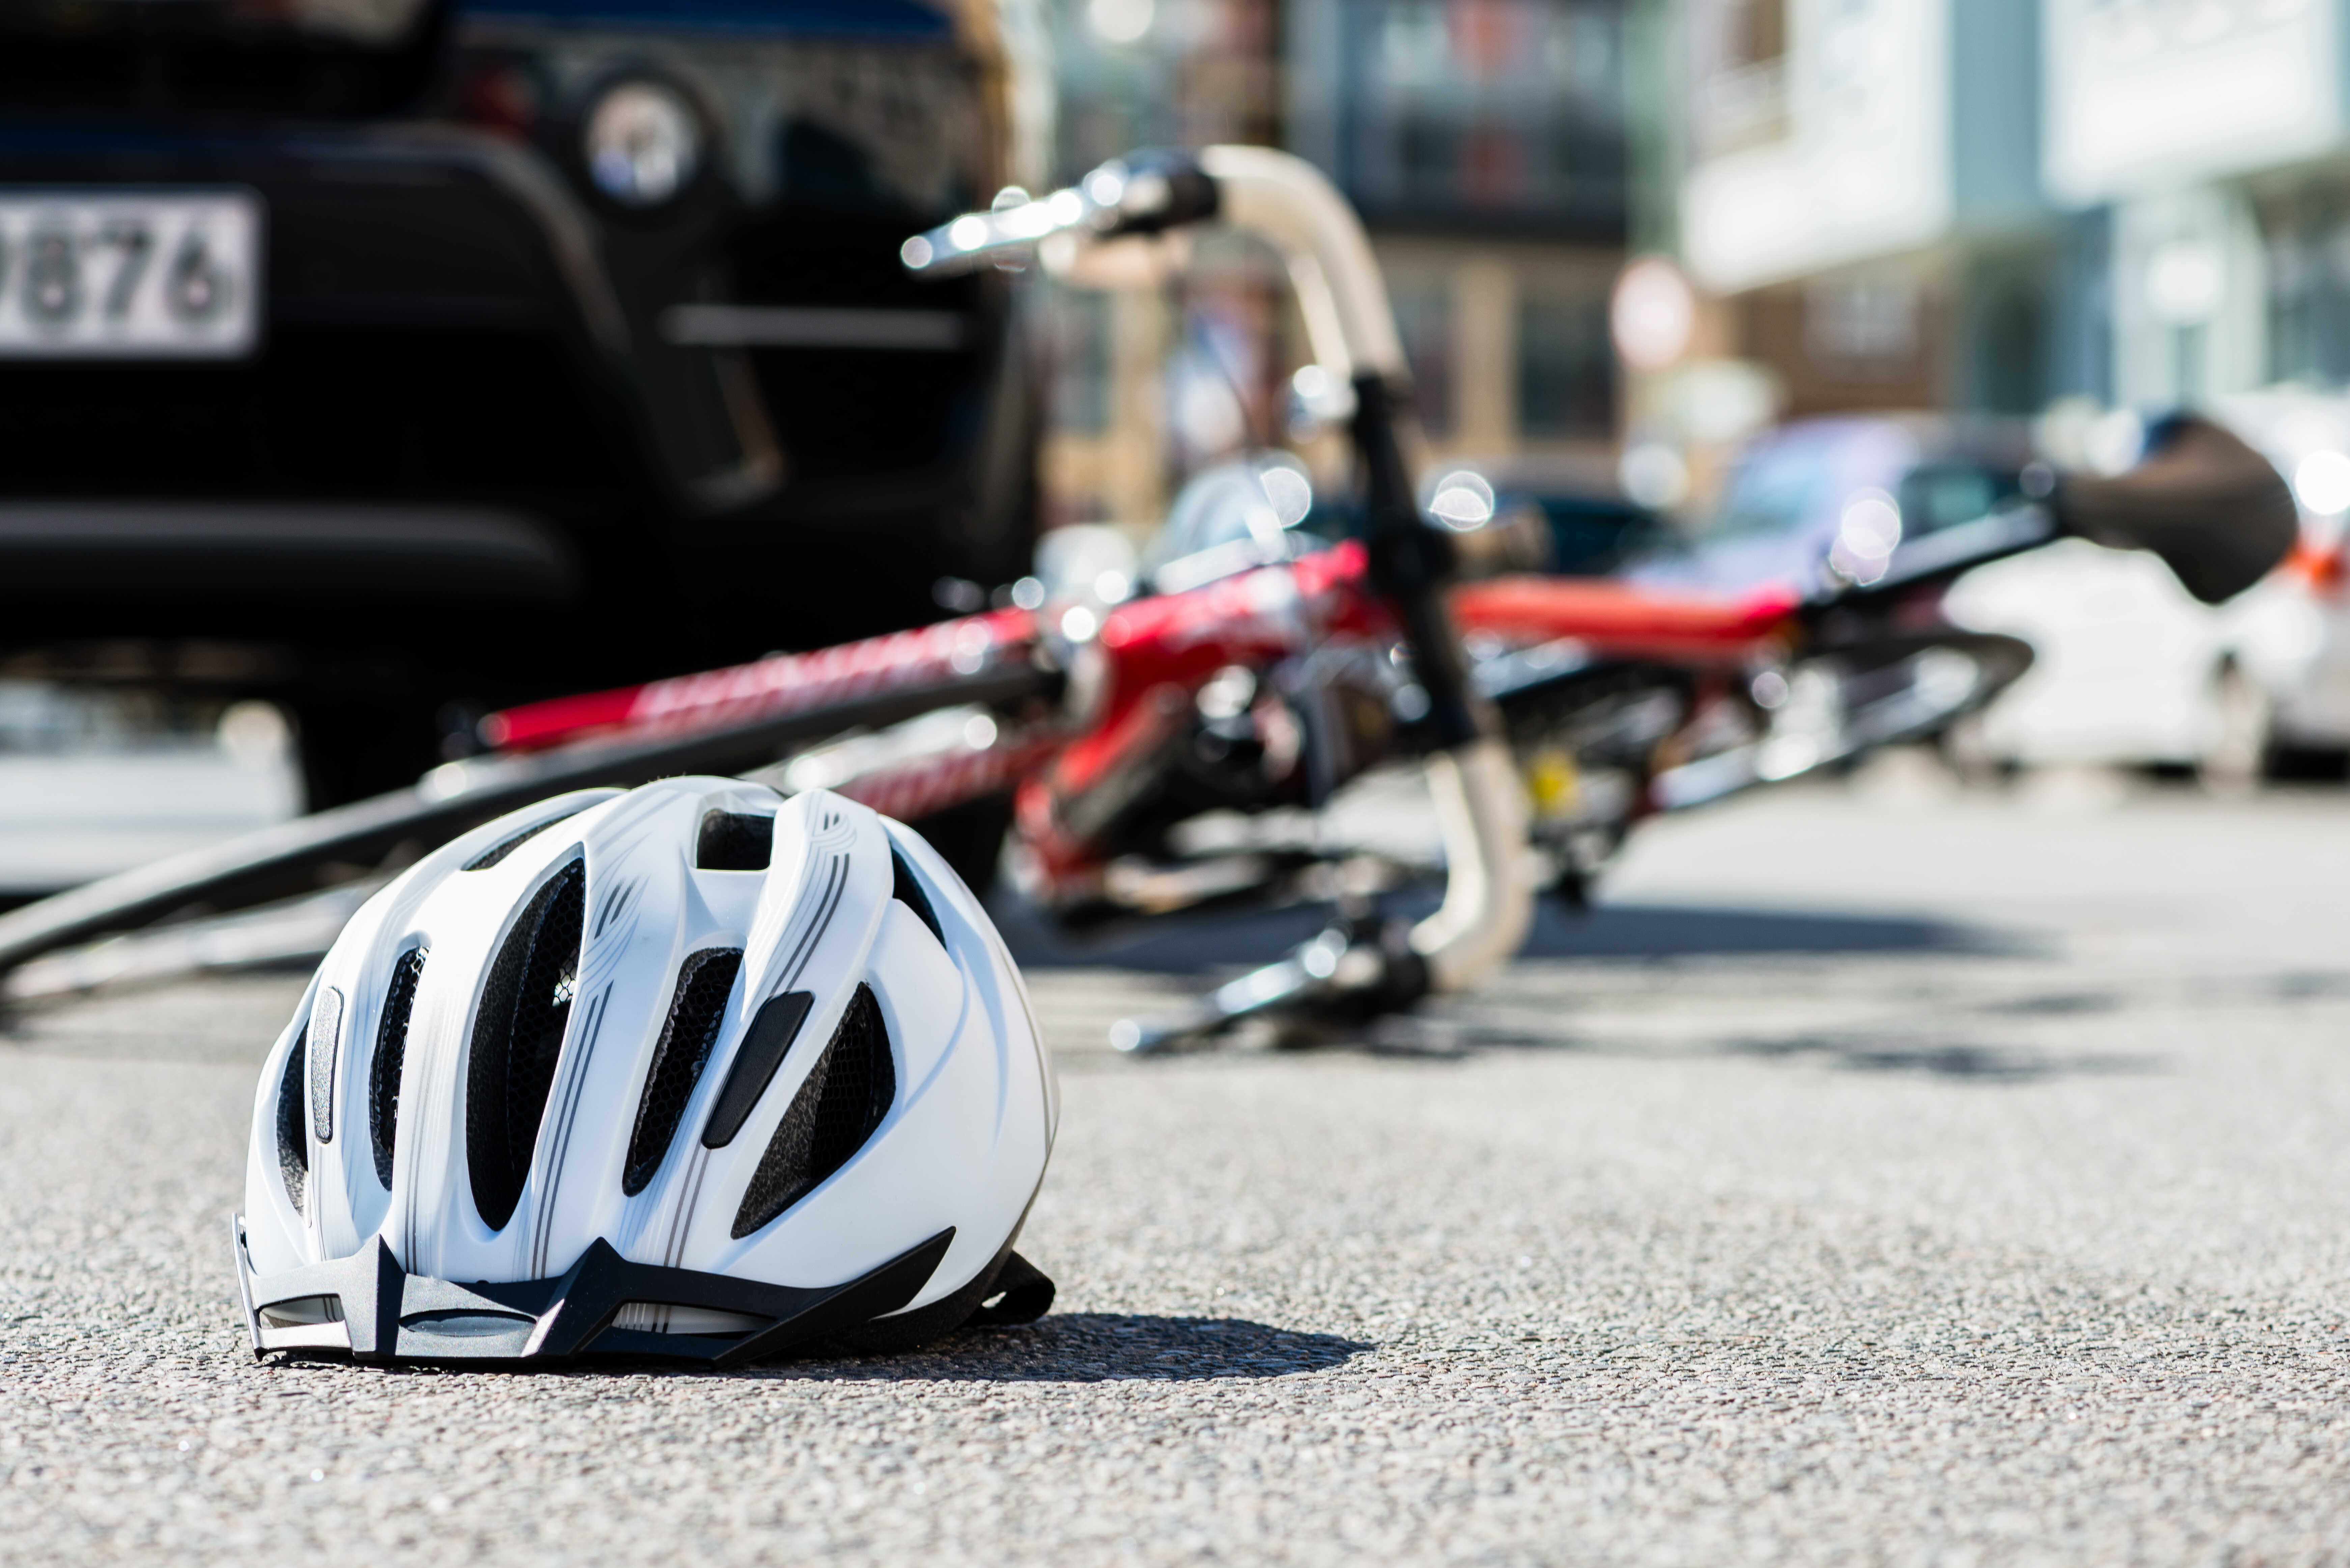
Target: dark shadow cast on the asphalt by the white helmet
1099	1348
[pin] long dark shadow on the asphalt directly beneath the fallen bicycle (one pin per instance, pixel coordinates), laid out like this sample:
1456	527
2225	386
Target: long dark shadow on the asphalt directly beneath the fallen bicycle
1211	942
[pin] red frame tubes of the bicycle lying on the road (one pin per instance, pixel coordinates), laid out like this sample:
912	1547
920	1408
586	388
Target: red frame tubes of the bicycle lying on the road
1136	678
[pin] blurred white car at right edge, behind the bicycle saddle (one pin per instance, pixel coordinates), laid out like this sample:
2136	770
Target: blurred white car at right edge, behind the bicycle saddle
2133	671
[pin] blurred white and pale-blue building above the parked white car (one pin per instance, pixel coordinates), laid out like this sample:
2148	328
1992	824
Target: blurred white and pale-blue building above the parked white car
1994	206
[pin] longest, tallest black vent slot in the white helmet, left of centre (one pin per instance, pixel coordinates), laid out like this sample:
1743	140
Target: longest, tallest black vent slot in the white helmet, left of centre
518	1038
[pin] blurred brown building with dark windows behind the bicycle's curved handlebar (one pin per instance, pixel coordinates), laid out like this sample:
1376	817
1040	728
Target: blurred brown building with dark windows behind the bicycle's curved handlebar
1484	145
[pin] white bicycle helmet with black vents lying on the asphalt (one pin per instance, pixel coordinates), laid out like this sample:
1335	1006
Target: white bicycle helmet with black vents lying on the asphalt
685	1071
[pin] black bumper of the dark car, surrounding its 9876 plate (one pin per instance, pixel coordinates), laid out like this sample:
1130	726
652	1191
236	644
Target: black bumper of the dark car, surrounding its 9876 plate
464	391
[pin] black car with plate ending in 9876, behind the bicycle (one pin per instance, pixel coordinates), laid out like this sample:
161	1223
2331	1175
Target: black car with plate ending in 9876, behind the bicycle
396	356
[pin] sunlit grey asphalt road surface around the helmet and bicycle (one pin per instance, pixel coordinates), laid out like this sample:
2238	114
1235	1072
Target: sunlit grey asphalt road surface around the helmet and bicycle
1872	1181
